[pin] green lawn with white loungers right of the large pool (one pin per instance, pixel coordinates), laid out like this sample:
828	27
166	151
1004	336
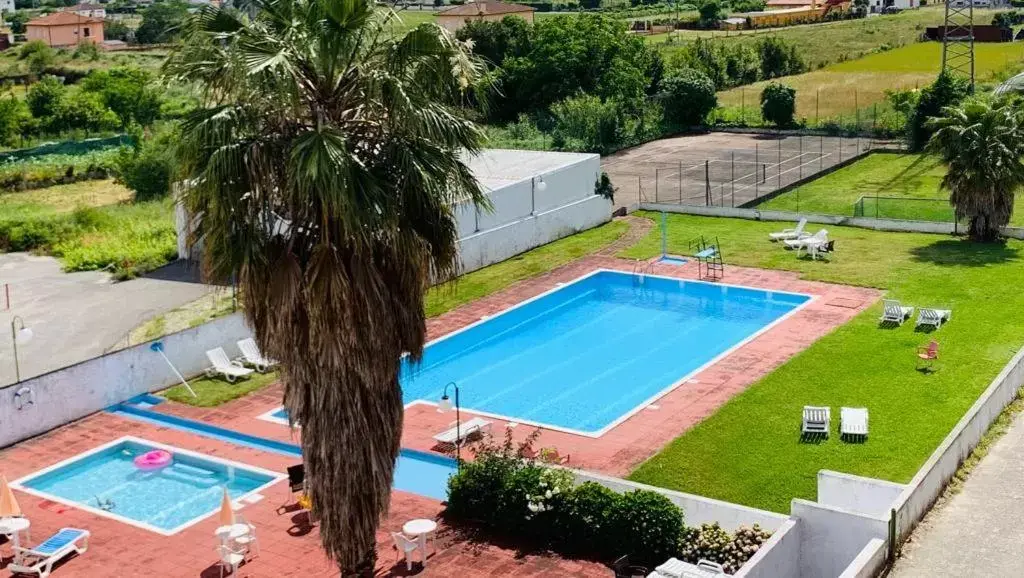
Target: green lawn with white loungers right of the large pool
749	452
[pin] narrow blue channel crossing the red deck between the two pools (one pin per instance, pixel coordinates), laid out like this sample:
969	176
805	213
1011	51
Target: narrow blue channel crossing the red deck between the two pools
417	473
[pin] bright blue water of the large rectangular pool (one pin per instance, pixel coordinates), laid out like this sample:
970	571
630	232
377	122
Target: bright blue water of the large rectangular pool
584	356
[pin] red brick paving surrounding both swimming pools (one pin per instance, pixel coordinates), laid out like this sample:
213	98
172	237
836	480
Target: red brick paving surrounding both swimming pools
289	547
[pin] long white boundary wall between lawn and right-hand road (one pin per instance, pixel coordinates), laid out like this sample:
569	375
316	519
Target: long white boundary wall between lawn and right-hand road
922	492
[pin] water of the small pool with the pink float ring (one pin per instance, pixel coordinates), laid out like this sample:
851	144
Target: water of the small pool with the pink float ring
166	500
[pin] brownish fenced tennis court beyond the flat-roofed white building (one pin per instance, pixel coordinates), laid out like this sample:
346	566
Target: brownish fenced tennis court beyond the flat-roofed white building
723	169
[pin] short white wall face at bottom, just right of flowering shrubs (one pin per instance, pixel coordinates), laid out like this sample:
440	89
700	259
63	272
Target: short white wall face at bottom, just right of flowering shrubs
832	538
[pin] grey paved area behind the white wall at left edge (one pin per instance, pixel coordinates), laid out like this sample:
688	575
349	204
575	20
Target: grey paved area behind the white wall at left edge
78	316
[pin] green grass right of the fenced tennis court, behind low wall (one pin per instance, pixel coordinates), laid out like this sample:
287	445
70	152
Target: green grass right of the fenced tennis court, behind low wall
900	177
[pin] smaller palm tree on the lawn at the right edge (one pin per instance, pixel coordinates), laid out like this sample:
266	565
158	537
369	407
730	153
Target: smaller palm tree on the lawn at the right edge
982	145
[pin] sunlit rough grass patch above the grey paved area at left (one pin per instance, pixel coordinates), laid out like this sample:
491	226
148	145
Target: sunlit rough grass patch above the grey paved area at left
91	226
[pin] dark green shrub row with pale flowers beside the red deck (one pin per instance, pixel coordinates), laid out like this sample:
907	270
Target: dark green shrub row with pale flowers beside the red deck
514	497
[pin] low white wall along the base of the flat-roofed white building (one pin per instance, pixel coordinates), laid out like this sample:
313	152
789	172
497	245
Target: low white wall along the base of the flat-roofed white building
496	245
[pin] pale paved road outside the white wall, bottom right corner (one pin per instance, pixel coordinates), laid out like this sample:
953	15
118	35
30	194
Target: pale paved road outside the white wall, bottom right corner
980	531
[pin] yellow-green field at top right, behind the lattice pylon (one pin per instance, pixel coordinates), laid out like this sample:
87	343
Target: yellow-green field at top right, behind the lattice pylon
843	89
